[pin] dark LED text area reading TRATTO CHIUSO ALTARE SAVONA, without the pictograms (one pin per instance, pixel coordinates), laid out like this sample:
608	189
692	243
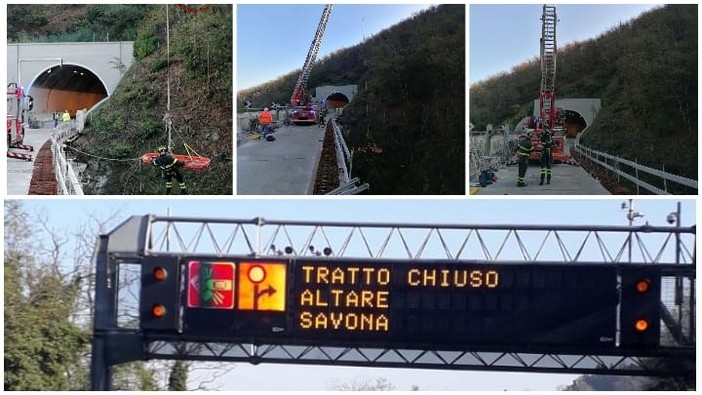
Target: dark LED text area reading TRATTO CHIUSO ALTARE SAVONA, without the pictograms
455	303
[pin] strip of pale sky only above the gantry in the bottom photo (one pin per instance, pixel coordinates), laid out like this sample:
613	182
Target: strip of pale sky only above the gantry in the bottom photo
69	214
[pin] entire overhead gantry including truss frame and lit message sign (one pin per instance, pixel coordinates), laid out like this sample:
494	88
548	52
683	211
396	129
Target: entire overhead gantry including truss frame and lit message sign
302	292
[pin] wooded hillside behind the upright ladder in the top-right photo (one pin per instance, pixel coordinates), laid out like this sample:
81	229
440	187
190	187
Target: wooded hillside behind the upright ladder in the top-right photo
645	72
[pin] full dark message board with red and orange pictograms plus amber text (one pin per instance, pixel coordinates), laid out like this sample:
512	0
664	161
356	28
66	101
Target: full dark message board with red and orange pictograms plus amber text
439	302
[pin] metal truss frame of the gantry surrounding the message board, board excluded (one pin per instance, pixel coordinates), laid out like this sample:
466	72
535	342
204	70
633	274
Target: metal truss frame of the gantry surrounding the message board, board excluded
670	247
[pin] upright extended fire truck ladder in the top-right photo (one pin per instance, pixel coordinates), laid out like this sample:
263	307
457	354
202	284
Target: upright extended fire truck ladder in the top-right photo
548	112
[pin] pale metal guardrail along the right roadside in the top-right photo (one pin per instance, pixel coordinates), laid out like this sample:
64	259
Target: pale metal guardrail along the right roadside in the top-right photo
633	172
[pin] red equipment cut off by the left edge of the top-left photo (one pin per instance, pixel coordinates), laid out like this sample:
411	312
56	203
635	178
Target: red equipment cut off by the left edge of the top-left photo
17	108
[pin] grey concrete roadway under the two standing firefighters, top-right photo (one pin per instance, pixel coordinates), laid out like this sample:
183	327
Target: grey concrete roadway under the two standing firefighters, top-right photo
566	180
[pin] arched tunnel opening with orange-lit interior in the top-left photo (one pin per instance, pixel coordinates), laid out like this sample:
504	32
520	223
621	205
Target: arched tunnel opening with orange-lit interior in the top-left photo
66	87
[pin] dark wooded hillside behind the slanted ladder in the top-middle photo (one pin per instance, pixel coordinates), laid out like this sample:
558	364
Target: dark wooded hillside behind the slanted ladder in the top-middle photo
410	102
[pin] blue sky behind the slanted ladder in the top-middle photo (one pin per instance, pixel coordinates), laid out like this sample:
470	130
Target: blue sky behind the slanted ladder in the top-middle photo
273	40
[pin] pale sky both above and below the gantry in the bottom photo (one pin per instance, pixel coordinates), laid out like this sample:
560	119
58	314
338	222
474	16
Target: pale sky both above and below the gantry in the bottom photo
66	216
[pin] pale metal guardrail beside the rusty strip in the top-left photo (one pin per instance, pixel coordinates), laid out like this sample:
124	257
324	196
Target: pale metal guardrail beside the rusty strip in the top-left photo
66	178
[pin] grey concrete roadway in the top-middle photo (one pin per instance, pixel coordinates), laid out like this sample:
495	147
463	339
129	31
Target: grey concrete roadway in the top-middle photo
286	166
